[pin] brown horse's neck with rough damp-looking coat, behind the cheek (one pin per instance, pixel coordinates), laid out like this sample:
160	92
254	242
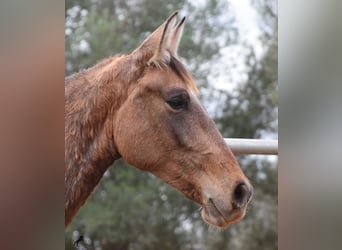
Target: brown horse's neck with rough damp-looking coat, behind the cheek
92	98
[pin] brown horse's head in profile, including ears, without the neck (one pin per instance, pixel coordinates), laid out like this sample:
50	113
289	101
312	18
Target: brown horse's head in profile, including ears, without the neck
162	128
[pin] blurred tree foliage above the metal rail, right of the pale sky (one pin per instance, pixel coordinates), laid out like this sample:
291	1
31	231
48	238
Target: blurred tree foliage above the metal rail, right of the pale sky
255	101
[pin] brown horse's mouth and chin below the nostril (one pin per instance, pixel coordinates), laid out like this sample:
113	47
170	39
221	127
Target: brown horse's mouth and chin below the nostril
219	216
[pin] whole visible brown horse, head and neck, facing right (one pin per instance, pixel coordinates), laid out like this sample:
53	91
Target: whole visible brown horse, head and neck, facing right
144	107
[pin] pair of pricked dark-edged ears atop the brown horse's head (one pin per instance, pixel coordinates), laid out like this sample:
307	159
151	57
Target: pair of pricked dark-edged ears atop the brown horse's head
158	47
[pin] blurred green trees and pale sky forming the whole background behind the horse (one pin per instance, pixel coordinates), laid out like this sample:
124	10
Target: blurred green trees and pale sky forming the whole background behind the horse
131	209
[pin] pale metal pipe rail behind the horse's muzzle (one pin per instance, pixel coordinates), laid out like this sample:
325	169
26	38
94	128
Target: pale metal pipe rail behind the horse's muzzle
252	146
